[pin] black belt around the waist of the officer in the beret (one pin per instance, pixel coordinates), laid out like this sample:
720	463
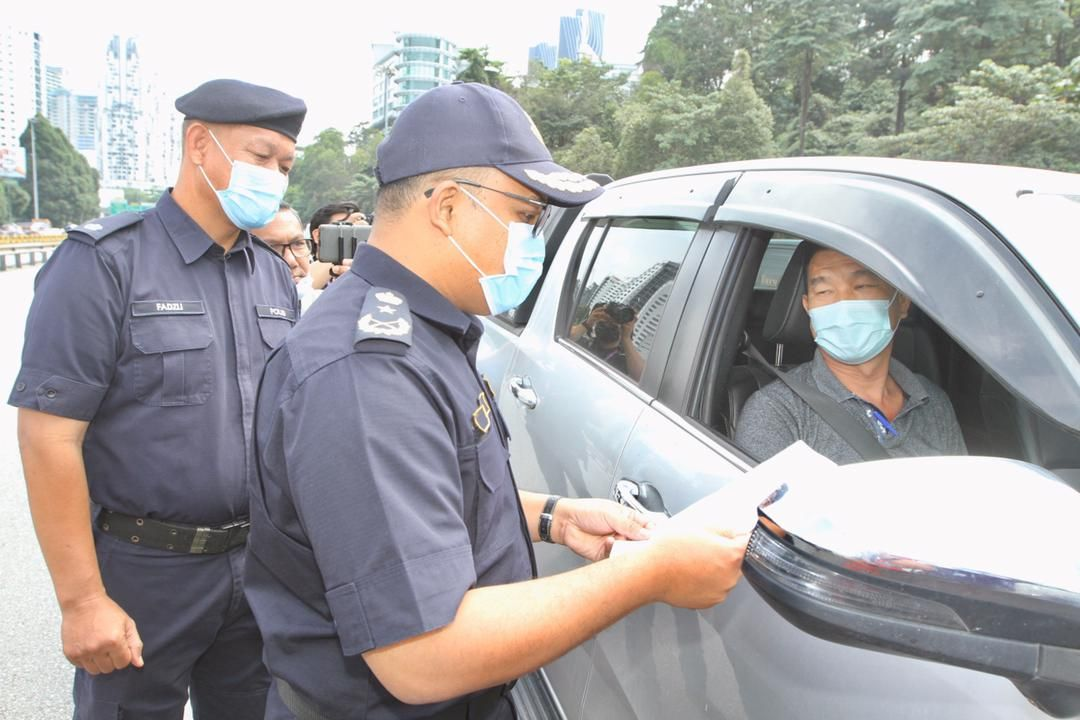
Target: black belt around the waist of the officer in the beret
175	537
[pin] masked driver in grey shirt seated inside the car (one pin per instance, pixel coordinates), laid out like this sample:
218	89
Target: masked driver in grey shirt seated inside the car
854	317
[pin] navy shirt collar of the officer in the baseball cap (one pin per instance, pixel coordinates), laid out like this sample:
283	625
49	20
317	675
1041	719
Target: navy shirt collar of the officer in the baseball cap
382	270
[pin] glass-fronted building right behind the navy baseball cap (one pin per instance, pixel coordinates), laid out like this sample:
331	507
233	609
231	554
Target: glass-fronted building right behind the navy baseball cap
404	71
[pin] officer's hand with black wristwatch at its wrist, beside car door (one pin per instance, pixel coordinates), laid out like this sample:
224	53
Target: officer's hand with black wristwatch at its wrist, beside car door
591	526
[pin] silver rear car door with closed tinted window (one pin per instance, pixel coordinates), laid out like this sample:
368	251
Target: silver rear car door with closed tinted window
570	406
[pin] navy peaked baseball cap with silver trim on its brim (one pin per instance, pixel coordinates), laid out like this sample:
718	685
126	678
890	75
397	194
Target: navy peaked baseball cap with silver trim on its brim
476	126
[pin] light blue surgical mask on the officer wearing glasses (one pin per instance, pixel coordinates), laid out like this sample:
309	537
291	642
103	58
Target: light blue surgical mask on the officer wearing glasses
522	265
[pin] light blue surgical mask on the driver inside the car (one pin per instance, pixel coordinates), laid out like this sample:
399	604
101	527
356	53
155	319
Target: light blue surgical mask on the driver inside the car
854	331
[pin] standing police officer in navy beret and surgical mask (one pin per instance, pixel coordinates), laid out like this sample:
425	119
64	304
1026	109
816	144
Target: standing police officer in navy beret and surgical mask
144	348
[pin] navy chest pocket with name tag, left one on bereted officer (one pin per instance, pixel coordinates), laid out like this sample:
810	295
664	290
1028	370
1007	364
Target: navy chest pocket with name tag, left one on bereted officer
173	364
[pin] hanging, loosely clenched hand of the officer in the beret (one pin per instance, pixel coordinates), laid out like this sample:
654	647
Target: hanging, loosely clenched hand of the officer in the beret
100	637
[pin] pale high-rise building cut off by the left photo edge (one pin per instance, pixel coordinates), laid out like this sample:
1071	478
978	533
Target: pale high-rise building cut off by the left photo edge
22	93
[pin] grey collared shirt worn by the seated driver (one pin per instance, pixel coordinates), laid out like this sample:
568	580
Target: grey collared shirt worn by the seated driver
775	417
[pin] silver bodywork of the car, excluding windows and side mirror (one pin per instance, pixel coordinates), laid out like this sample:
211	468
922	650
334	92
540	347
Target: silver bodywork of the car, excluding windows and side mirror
595	428
